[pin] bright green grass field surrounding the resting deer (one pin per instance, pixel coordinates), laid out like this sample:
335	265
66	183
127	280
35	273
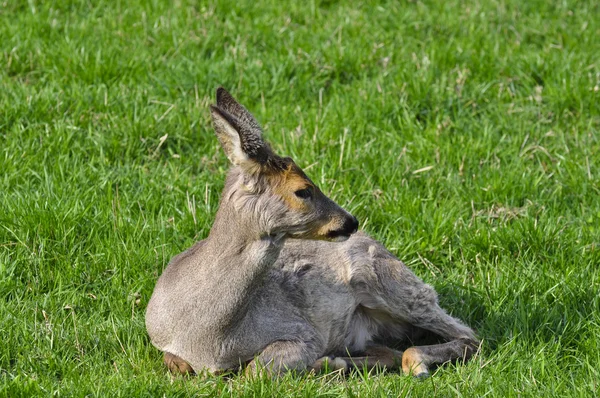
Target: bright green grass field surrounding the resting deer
465	135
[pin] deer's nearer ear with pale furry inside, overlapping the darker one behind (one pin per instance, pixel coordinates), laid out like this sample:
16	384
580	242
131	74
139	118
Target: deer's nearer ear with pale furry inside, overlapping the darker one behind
242	145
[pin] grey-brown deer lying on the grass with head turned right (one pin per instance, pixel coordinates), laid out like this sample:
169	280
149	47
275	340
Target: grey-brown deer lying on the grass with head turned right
283	282
